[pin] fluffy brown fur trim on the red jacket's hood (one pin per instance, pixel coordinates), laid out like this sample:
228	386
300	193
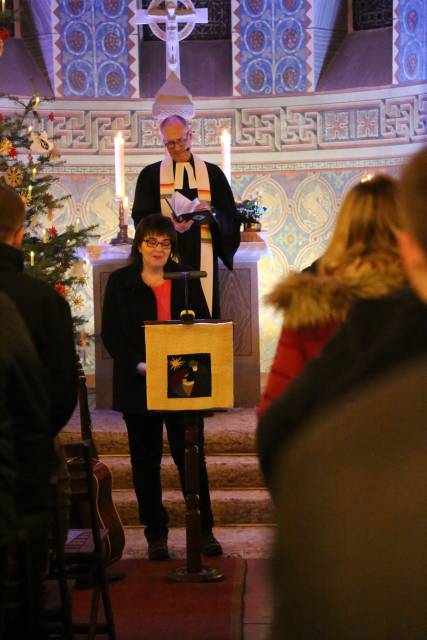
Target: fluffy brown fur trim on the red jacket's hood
309	300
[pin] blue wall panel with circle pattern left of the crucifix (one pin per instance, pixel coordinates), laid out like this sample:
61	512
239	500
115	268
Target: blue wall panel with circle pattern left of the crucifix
95	49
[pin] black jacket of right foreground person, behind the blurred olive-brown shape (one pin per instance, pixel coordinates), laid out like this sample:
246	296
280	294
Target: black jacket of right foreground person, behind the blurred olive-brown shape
377	335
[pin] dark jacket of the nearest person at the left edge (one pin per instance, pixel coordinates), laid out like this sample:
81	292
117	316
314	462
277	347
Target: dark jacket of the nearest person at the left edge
26	447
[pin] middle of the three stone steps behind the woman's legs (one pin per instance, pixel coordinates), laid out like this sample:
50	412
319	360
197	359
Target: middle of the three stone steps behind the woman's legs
225	472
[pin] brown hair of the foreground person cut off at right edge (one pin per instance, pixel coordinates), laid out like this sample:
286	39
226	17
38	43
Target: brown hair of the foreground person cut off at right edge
413	196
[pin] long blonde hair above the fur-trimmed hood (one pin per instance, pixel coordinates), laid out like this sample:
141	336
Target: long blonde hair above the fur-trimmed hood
366	223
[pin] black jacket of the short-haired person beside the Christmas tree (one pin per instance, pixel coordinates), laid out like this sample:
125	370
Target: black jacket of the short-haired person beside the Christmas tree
48	319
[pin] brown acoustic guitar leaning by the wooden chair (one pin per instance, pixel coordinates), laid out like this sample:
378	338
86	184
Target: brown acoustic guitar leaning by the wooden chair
108	517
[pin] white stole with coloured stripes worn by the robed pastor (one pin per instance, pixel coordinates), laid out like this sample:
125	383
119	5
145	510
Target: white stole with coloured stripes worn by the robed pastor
168	183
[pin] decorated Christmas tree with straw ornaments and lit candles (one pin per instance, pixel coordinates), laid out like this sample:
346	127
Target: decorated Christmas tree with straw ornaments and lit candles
26	155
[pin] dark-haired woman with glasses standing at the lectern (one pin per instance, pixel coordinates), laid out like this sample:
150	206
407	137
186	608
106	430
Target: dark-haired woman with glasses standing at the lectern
136	293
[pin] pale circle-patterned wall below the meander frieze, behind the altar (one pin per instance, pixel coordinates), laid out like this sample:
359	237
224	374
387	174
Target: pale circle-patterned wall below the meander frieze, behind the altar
301	206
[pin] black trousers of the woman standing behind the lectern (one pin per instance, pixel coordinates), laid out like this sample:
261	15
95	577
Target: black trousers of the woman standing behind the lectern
145	433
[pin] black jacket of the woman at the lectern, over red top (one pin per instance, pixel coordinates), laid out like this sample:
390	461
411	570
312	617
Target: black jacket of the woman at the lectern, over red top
128	302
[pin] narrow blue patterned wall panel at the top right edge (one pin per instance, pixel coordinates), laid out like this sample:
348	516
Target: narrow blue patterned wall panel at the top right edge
411	40
